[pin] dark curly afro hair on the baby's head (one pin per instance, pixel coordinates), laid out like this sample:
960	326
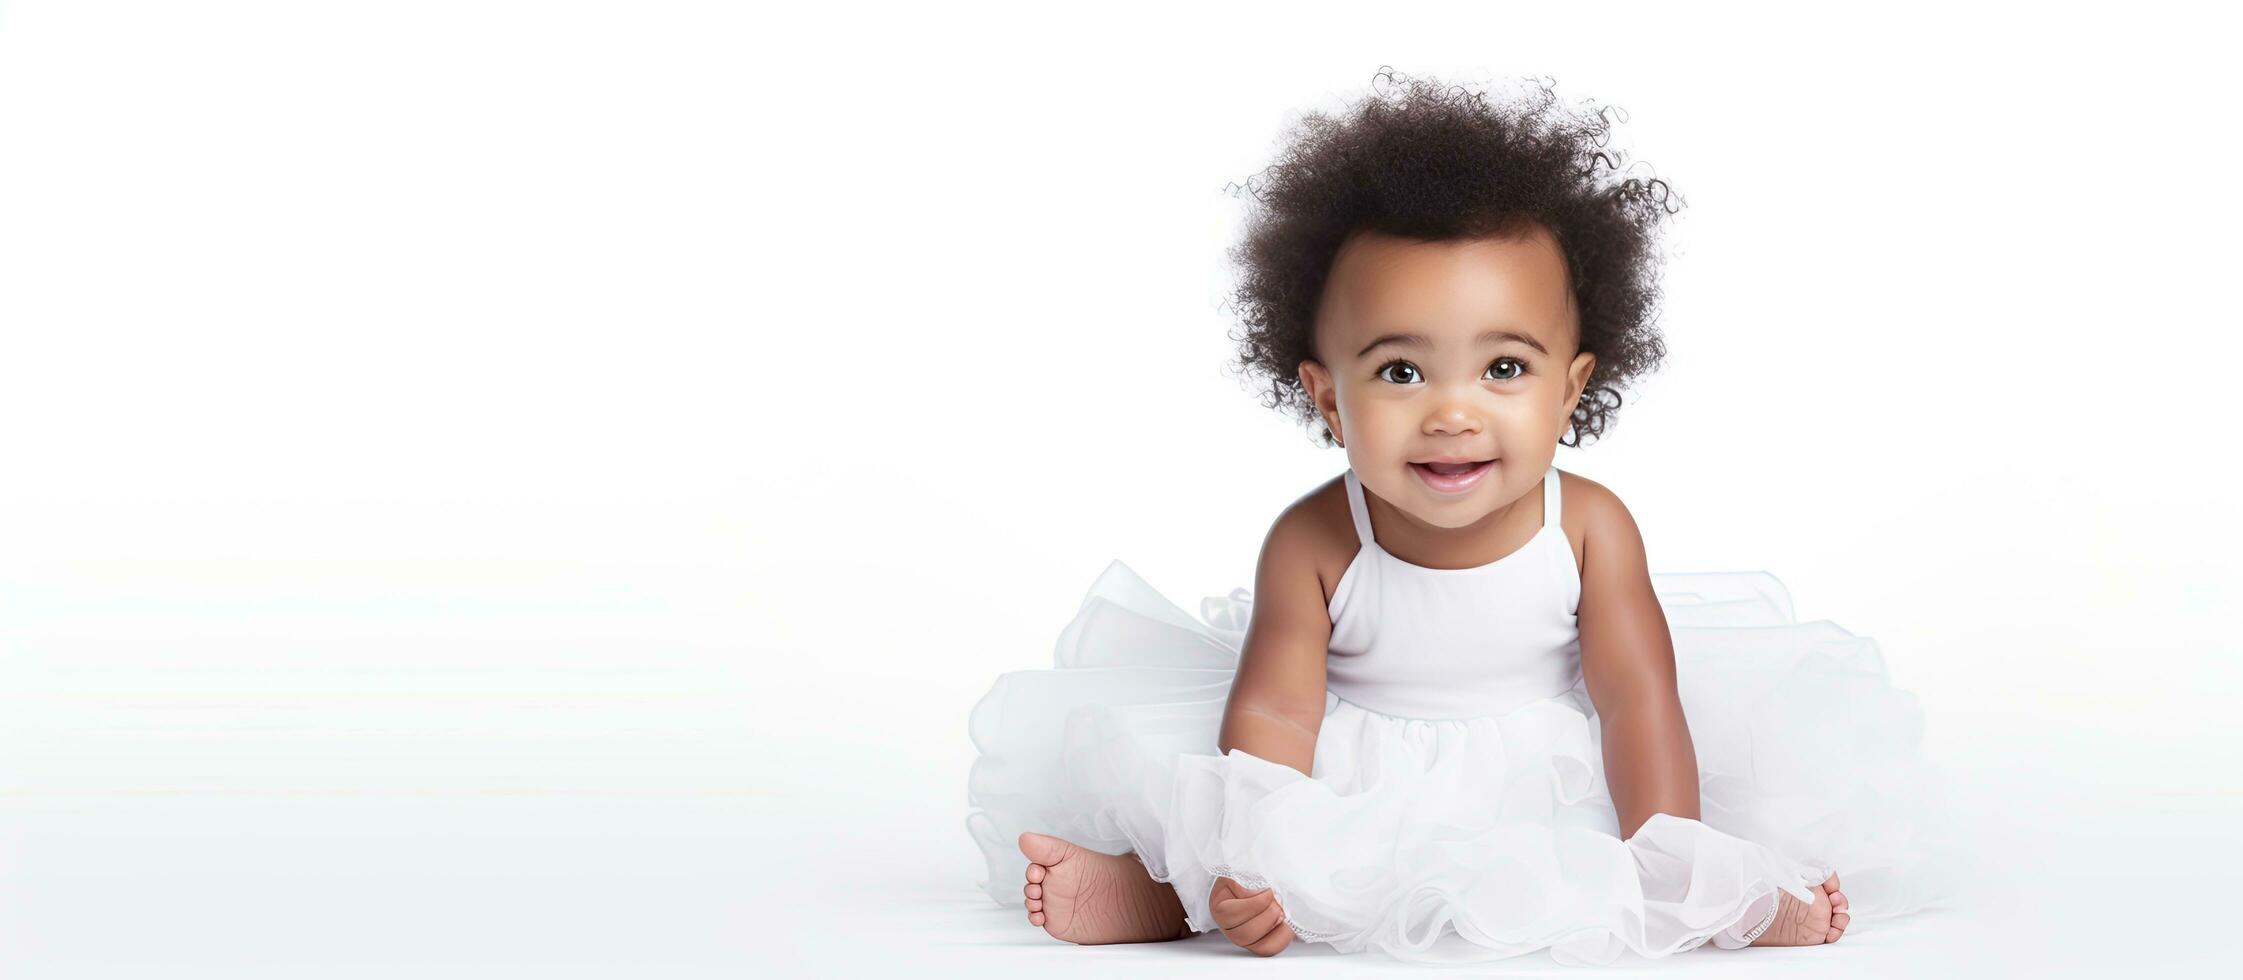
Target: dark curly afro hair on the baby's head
1441	163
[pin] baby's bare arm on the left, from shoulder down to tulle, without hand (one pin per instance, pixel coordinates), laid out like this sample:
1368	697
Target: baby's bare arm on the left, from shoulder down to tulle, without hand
1277	696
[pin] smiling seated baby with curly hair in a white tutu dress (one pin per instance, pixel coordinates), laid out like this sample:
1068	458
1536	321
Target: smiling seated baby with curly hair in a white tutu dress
1455	716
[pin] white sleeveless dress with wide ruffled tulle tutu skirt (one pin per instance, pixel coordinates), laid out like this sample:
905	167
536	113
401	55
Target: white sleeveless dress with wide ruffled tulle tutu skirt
1457	806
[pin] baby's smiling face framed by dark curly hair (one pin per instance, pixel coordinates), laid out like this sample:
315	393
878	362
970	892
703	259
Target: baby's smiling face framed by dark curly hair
1410	367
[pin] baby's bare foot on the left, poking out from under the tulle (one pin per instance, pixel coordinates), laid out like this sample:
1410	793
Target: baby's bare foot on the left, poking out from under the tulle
1091	898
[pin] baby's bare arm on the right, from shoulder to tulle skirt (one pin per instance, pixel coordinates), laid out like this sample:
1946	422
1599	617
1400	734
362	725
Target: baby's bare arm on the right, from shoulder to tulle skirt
1630	665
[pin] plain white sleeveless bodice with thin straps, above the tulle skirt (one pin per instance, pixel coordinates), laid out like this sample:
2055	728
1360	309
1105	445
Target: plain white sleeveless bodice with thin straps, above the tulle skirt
1457	642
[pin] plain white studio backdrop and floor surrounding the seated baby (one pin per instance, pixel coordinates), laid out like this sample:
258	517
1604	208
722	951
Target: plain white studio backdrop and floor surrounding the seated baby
524	488
